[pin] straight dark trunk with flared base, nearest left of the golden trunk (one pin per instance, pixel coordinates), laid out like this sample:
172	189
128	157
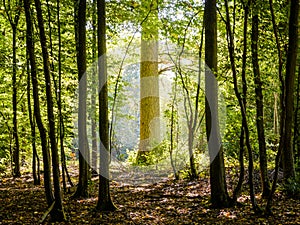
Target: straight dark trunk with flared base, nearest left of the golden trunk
104	199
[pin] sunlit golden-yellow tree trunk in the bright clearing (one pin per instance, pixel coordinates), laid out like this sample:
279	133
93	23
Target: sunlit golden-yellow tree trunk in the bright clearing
149	83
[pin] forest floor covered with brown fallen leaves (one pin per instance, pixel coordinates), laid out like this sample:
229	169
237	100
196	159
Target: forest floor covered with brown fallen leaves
168	202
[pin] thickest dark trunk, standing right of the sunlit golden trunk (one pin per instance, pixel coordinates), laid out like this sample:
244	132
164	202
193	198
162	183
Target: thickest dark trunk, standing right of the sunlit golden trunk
219	194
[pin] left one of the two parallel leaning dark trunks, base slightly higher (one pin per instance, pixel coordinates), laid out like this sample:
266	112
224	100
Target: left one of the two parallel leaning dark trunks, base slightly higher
37	112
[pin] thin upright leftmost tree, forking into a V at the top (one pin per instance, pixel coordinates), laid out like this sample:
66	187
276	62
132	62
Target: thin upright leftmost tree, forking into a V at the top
14	20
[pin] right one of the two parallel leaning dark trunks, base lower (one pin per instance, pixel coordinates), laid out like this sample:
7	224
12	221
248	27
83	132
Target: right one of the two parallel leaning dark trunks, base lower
57	213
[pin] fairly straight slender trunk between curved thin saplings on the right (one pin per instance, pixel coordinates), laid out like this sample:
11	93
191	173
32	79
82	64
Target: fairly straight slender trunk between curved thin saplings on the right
259	104
